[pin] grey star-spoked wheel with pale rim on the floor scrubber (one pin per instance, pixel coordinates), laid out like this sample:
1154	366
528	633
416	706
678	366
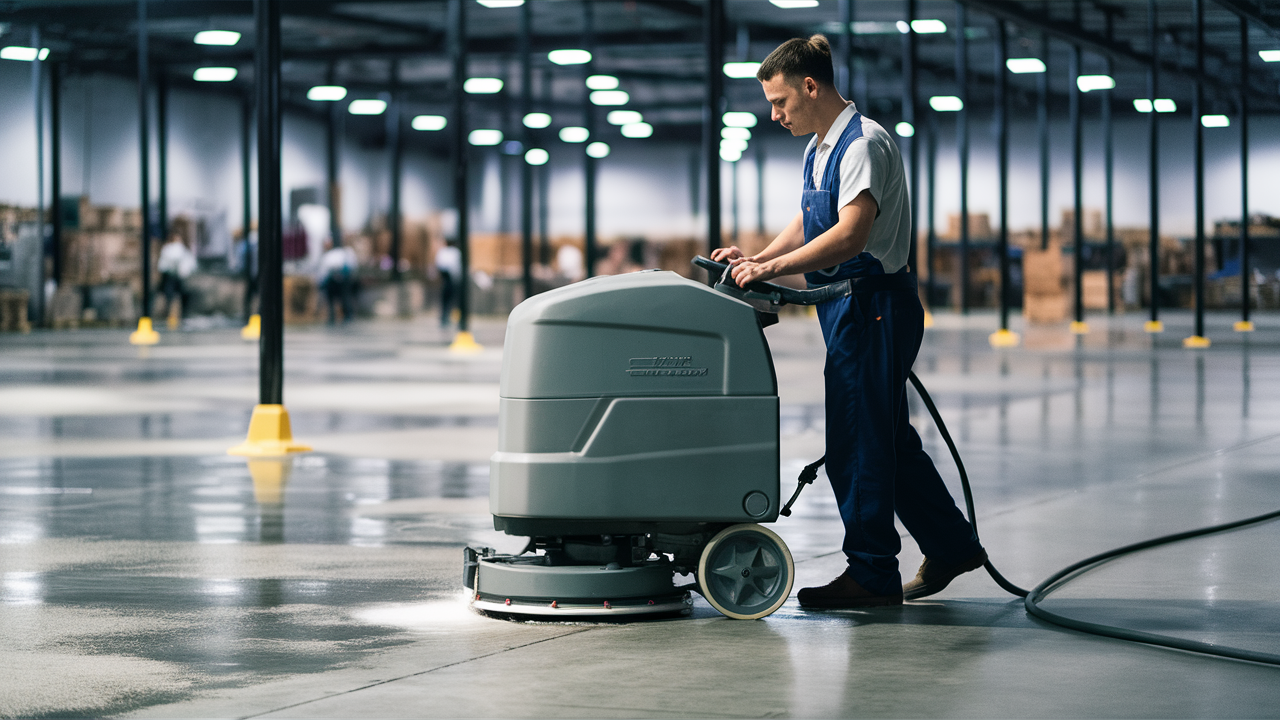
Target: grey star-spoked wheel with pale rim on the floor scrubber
746	572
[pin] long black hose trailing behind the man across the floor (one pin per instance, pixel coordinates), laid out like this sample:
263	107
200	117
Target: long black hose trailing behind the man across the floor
1064	576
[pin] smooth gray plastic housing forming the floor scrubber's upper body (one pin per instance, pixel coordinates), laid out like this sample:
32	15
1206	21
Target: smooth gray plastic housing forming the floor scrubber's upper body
642	398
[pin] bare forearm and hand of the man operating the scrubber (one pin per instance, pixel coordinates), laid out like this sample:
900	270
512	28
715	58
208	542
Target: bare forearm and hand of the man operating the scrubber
847	240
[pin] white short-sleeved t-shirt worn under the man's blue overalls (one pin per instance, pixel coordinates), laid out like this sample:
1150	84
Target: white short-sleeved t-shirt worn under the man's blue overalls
871	162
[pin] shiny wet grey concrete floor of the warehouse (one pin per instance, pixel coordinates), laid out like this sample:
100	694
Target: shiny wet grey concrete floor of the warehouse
145	573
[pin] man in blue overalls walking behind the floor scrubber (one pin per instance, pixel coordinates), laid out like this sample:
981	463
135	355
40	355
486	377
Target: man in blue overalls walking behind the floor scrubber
856	225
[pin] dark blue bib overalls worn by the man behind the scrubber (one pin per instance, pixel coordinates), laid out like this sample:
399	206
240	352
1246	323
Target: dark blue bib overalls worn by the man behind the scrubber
875	459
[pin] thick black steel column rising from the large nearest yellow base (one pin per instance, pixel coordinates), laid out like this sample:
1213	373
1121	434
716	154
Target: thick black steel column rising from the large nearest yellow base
271	280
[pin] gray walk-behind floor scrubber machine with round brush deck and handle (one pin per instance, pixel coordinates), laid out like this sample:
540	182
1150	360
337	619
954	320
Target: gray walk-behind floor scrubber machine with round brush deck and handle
638	441
